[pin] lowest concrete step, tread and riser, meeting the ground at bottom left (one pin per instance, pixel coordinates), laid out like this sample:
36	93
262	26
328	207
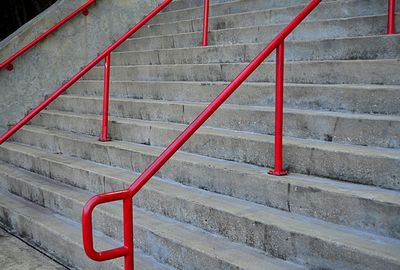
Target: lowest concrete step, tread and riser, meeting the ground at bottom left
58	236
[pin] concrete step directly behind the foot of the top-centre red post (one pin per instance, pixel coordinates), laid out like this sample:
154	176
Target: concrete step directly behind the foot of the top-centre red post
309	30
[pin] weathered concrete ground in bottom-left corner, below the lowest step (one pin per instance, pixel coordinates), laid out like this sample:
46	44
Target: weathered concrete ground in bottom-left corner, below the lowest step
16	255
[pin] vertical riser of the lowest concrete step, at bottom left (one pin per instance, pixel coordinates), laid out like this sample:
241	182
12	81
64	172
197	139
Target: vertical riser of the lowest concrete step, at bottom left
72	254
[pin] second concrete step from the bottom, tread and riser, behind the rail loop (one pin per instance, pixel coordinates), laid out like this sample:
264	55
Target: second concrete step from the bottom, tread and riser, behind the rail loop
162	237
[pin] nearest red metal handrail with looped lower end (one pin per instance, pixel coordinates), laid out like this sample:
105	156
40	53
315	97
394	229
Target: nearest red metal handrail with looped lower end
127	194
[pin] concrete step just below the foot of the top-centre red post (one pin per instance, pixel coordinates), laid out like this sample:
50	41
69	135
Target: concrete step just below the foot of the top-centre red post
355	48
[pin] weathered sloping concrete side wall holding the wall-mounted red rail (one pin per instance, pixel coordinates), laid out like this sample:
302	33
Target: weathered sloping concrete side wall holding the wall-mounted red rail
42	70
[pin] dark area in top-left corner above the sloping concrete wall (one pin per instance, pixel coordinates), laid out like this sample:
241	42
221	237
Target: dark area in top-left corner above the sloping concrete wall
15	13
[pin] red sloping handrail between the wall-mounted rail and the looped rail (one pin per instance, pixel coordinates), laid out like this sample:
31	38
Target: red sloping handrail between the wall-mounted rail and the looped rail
79	75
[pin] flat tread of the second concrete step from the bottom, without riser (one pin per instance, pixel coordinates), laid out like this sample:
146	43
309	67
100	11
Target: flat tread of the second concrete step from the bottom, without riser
237	254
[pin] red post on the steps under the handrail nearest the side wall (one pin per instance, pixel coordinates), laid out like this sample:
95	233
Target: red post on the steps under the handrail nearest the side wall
104	130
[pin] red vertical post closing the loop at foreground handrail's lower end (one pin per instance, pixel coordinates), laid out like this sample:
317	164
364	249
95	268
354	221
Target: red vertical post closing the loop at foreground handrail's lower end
128	233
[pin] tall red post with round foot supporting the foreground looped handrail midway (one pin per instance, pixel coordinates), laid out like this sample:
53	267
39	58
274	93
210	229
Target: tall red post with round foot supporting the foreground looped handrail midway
280	60
